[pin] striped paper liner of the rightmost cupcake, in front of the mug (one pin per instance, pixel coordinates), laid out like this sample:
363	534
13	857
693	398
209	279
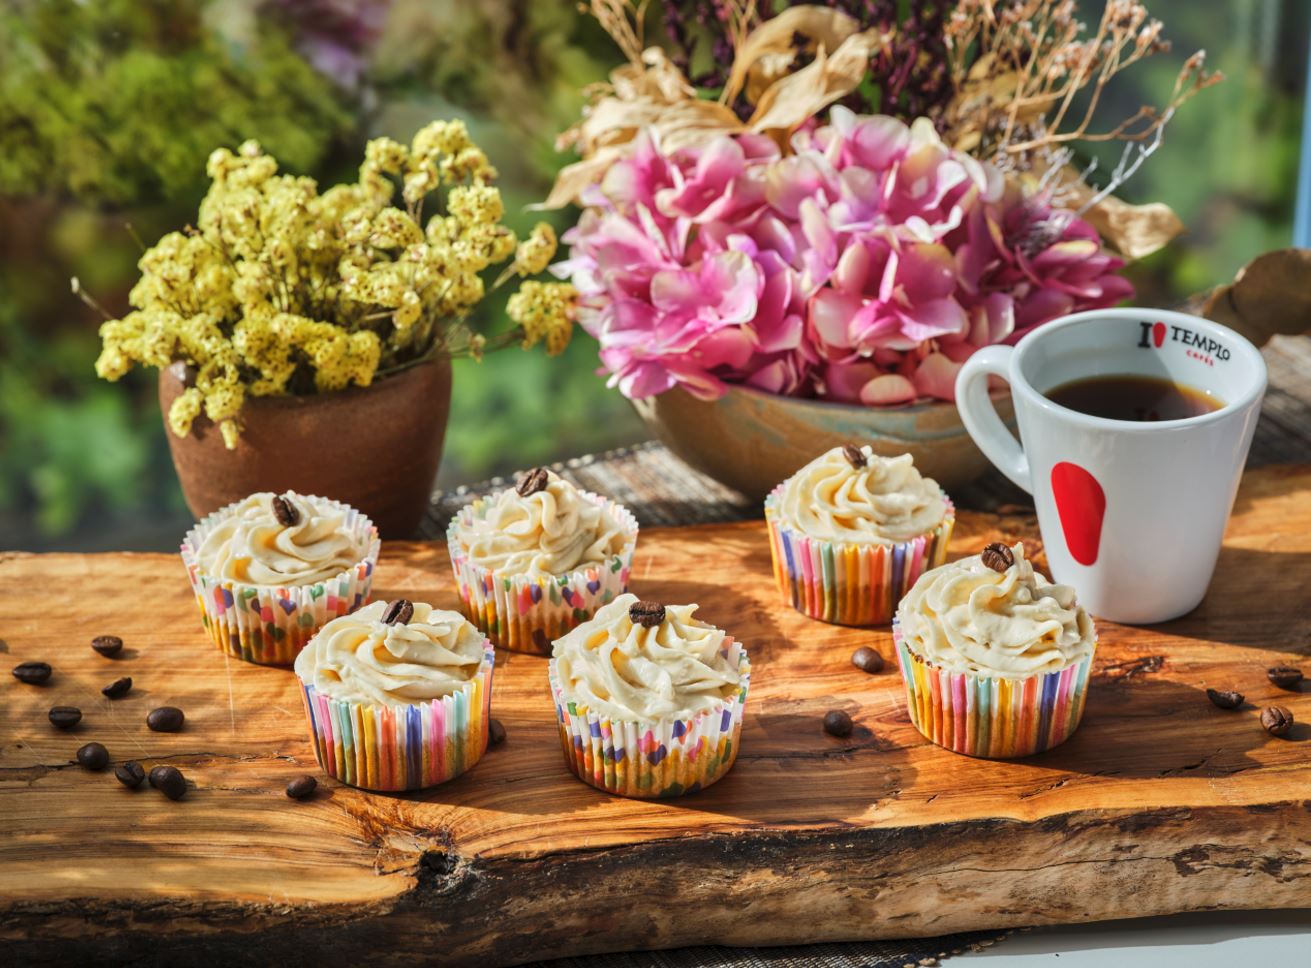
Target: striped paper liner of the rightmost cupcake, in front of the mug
992	717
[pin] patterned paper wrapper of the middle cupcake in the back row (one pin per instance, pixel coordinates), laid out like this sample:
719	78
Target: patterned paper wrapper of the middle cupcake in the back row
525	613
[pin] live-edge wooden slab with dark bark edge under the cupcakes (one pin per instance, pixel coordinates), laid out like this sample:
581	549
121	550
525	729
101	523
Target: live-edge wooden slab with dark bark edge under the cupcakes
1161	803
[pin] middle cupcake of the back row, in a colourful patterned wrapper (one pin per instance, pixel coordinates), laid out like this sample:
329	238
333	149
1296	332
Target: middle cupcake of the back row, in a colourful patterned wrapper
536	561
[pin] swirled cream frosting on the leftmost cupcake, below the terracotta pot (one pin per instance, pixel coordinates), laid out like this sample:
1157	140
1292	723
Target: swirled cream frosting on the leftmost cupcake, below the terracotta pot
250	545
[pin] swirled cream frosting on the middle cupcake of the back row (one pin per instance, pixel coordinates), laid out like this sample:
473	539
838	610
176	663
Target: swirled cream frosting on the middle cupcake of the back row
553	532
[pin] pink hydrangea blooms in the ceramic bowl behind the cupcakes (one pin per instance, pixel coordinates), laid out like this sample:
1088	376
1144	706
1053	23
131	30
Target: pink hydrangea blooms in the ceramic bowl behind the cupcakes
865	267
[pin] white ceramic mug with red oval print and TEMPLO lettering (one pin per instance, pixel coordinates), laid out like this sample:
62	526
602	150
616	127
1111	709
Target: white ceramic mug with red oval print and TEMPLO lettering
1132	514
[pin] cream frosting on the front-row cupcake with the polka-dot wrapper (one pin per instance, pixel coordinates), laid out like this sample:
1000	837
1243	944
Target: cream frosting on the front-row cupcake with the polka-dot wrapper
634	672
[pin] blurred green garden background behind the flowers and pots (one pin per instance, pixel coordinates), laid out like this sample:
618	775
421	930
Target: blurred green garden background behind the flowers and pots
109	110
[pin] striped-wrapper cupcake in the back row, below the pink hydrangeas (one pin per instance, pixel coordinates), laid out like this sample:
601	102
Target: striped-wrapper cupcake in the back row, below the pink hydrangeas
851	532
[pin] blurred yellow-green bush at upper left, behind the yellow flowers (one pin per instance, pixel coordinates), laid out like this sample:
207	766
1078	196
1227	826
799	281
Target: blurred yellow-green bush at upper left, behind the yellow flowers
119	102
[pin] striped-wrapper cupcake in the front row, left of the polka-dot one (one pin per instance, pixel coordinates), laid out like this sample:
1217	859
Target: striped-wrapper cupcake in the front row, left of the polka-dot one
398	696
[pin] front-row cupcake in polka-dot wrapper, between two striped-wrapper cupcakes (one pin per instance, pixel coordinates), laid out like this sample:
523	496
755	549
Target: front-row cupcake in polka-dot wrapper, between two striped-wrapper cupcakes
650	700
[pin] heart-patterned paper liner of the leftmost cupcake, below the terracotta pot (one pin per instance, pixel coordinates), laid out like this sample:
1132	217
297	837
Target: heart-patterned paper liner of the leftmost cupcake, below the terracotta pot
271	625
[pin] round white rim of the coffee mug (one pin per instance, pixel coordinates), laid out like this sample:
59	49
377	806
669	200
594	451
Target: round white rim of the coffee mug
1238	405
